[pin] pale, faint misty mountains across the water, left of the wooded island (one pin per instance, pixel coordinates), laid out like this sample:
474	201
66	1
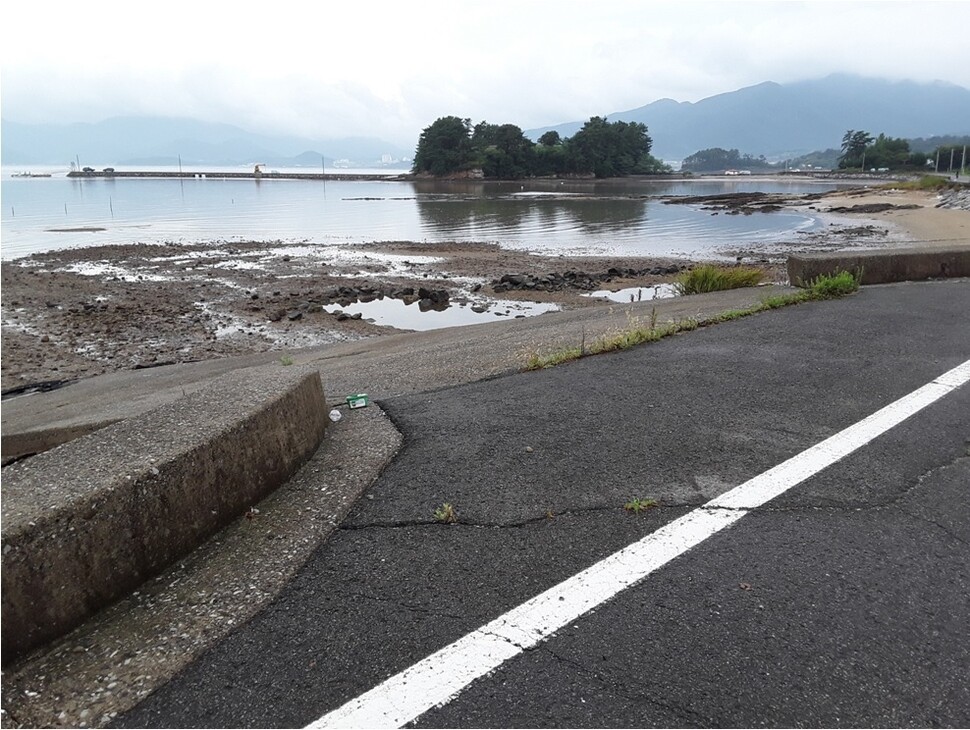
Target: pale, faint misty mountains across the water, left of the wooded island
158	140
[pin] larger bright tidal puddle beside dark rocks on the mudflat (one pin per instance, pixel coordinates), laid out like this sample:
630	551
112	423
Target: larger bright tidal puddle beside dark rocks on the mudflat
395	313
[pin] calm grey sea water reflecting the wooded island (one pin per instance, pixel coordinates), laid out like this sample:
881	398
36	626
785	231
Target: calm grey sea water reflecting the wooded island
551	217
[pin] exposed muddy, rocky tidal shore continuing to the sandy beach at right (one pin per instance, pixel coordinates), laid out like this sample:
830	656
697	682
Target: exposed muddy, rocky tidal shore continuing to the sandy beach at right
81	312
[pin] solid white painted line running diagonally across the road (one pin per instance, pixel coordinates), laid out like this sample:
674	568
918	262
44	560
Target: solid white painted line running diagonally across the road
440	677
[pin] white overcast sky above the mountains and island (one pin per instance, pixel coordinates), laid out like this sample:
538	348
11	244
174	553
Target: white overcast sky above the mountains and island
388	69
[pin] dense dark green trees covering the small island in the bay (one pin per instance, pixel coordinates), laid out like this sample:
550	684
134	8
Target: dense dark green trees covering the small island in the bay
451	146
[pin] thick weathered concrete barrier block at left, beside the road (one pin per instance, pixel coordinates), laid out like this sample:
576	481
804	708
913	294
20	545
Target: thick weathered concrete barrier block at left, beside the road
90	520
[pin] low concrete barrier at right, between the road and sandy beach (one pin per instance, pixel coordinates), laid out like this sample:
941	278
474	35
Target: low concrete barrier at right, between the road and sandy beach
884	266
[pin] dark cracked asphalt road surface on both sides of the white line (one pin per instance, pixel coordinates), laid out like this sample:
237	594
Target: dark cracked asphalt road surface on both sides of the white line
843	602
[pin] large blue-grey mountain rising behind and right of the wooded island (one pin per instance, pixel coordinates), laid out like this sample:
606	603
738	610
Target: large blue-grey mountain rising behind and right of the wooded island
782	120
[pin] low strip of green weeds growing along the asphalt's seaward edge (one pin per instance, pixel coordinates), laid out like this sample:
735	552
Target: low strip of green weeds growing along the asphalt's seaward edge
638	332
